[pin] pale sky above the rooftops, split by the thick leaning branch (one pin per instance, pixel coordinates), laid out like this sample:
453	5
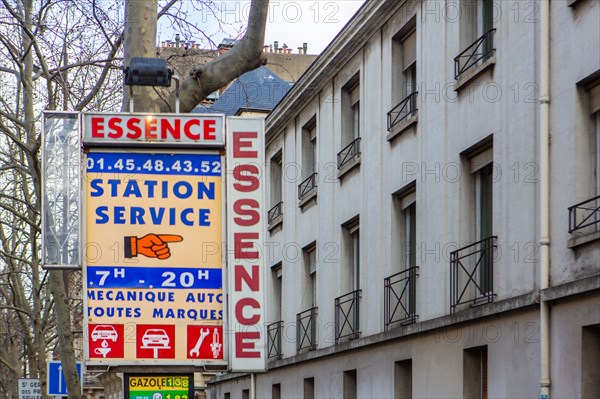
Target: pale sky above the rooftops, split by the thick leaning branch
315	22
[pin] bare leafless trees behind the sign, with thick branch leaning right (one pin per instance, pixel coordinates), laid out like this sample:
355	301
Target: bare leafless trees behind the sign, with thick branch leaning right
68	55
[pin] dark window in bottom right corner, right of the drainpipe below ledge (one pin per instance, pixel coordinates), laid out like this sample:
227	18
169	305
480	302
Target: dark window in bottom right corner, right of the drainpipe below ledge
590	367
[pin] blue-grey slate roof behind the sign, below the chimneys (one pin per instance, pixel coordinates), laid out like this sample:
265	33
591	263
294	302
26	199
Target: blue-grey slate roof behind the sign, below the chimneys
257	90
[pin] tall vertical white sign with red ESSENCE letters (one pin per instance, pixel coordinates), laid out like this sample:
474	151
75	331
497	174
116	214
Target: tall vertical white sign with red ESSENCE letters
245	235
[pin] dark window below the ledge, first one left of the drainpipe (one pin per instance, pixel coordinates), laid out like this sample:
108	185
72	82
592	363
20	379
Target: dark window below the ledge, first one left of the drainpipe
475	373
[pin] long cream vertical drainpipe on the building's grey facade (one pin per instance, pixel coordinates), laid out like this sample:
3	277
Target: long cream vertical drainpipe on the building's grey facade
544	197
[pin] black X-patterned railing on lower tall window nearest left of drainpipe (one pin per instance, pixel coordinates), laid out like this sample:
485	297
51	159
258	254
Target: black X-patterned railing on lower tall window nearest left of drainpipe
472	274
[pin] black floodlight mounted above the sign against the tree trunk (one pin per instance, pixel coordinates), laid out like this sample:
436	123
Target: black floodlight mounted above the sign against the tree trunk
148	72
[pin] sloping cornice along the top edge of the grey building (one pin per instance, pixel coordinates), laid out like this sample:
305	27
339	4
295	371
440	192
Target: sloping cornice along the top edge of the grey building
364	24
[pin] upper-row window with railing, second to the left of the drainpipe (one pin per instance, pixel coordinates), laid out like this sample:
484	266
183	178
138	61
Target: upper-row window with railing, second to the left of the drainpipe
404	75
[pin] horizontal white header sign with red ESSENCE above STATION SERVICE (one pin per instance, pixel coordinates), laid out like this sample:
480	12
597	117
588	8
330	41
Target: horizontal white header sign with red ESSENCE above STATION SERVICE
156	129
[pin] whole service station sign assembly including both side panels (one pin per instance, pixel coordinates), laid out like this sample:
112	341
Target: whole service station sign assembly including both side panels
153	229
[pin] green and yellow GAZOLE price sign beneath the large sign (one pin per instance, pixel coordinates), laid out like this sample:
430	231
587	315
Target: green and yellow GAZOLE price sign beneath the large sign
159	386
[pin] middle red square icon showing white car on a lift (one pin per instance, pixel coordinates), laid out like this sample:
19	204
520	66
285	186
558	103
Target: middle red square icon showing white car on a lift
155	341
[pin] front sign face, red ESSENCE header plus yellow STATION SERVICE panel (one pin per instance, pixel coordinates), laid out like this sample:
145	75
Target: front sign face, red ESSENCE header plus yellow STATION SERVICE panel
154	232
